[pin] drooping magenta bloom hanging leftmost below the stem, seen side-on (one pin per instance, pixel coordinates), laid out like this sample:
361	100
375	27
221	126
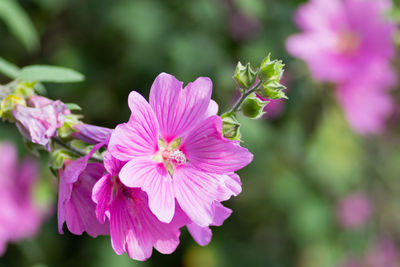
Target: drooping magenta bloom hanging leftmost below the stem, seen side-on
75	204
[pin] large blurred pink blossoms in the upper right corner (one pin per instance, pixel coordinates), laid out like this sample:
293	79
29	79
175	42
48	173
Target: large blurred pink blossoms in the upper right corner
350	43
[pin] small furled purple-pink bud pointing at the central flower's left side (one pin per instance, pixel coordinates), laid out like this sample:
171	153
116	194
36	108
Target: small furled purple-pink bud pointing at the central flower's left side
90	133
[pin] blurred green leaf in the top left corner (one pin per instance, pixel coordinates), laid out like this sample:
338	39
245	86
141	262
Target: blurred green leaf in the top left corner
19	23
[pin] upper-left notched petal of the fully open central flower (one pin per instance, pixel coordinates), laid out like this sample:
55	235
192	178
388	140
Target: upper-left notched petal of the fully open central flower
138	137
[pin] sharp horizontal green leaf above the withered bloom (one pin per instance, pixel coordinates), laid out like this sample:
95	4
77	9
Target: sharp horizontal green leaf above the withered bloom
44	73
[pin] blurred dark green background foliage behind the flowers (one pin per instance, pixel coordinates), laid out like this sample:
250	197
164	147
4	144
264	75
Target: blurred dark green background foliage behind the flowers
307	160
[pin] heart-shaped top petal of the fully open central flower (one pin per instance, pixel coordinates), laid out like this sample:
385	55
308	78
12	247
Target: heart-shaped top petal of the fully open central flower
178	110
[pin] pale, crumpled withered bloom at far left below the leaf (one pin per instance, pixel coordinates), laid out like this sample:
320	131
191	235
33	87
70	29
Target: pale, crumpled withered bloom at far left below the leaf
39	121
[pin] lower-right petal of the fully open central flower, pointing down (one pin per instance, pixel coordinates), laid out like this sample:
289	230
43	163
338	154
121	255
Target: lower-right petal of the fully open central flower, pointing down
195	192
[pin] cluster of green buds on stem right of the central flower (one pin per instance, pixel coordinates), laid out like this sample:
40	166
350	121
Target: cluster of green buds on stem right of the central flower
258	86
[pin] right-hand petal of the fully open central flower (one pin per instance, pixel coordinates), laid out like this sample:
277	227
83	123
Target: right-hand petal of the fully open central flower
208	150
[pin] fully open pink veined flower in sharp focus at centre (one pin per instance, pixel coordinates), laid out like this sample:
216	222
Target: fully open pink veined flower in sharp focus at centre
175	150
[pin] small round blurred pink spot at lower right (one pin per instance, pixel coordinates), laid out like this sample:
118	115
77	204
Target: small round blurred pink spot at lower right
354	211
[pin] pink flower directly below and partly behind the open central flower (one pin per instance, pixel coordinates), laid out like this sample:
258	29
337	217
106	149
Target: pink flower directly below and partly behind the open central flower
133	227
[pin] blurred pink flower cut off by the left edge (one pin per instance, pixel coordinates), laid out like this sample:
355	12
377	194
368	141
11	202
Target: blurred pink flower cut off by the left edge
19	217
